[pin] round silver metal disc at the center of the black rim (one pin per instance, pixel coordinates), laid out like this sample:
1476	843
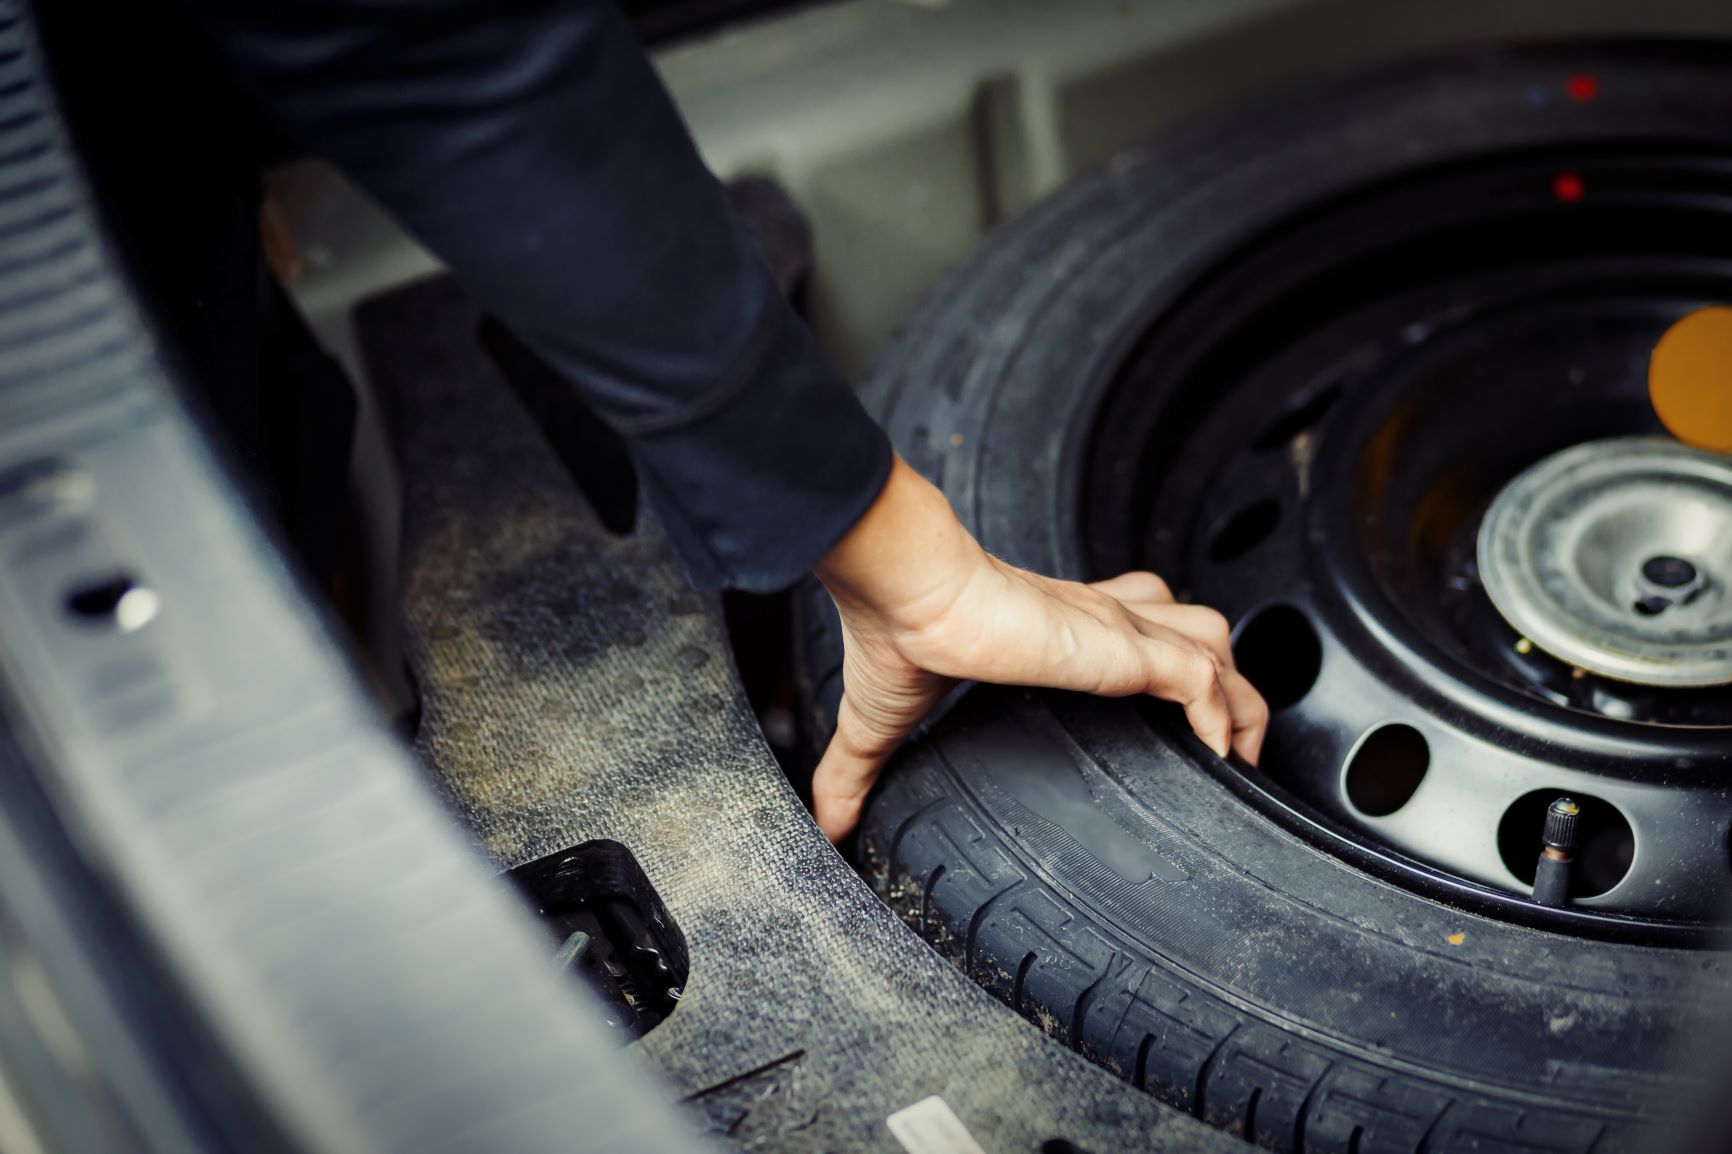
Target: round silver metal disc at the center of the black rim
1617	559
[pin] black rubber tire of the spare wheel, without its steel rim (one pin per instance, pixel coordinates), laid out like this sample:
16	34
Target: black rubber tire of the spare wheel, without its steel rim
1078	857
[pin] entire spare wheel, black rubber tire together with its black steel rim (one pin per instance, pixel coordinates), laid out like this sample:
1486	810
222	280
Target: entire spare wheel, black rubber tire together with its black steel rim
1289	358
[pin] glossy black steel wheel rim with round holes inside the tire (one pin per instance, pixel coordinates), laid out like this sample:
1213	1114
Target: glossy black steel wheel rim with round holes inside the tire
1310	443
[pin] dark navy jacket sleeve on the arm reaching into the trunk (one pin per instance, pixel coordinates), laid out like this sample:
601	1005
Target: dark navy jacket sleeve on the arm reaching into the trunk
533	148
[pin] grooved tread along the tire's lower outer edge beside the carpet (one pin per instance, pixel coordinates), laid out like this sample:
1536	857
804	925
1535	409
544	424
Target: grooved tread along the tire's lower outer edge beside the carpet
1056	964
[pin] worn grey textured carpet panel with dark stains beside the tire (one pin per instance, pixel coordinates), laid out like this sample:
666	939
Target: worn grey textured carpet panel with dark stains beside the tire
576	687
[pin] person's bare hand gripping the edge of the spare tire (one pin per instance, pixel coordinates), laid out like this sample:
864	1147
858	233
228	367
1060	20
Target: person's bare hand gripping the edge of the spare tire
926	607
